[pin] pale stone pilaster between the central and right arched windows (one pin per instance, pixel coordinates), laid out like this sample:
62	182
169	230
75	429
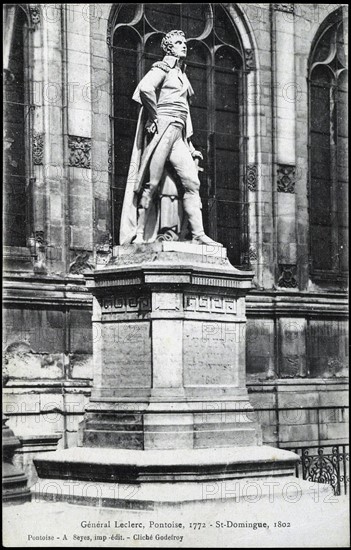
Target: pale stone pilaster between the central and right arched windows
285	153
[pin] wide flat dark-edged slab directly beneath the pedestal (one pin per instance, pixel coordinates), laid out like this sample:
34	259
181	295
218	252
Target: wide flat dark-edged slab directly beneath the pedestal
131	466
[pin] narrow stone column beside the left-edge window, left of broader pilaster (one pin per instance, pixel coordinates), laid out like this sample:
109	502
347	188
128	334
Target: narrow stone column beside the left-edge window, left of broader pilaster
47	151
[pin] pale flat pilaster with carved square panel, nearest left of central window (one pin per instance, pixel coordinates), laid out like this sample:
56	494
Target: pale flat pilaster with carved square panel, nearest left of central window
78	137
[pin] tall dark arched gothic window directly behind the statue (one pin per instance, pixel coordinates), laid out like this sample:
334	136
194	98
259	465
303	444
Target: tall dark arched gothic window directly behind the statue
215	69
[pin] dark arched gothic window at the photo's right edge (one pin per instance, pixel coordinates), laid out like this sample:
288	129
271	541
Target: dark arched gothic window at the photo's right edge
328	151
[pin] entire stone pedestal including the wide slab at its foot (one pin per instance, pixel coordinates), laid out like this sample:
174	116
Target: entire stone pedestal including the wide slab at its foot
169	401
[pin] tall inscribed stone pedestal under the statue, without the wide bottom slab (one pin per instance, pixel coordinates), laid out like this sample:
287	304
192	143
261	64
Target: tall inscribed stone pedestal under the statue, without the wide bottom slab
169	350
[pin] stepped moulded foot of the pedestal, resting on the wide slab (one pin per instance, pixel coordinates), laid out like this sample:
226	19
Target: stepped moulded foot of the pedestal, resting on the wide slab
162	424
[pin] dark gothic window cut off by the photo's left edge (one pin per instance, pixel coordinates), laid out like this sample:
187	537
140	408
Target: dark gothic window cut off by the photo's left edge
16	97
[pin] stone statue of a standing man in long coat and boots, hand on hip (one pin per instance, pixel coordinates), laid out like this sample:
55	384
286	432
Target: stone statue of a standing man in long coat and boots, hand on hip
165	120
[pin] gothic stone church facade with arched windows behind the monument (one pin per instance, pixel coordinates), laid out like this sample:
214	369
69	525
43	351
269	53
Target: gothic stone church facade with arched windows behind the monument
269	116
